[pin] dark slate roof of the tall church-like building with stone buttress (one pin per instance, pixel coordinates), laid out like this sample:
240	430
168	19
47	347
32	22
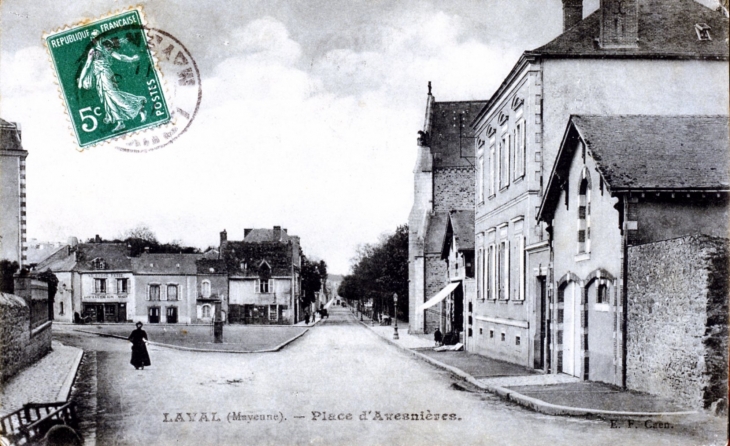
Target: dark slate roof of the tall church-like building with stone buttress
448	149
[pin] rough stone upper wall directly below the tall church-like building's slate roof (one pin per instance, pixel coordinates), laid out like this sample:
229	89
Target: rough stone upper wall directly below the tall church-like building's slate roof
453	188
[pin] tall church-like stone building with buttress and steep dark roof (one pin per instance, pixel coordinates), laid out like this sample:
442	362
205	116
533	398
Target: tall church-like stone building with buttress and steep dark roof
444	178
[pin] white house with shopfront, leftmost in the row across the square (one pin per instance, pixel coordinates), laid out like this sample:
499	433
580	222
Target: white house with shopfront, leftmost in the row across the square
95	280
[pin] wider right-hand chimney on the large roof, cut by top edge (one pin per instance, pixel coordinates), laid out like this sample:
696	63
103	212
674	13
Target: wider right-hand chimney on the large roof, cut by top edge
619	24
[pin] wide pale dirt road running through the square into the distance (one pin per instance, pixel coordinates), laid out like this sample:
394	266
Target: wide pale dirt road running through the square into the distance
336	369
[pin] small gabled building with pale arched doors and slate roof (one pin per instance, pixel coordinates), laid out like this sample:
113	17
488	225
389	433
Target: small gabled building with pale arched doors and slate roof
617	182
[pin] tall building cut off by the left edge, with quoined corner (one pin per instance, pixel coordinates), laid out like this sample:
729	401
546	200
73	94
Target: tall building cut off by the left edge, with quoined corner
12	194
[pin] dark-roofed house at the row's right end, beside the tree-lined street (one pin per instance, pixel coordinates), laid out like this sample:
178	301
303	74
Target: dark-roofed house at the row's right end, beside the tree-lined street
264	277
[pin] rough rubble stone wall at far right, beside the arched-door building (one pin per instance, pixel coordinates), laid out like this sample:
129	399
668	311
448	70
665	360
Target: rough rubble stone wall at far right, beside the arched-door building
677	320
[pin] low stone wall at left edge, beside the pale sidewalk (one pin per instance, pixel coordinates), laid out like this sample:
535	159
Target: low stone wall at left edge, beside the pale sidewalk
20	346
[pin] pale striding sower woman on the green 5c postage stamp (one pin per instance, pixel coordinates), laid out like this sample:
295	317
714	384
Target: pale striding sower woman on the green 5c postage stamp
119	106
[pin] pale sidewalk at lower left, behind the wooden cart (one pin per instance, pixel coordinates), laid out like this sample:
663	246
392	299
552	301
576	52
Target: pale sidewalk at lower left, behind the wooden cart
48	380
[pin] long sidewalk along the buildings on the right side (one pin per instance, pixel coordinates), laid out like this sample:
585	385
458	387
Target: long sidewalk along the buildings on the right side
553	394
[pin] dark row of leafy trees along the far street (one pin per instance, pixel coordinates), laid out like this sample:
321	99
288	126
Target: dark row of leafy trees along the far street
379	271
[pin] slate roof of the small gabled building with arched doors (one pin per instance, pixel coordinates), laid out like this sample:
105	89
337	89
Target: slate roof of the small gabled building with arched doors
647	152
